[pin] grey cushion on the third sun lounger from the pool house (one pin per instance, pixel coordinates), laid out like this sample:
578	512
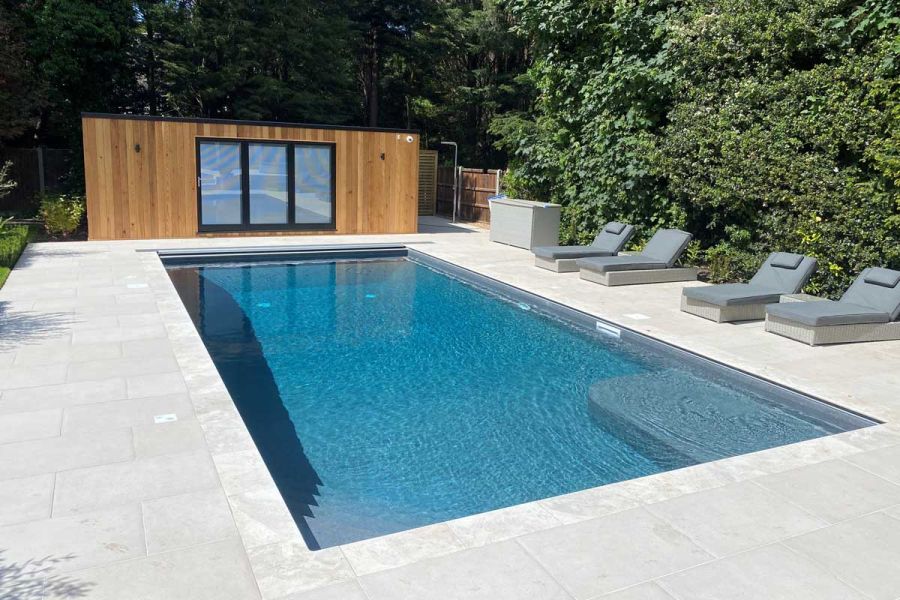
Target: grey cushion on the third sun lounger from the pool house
781	273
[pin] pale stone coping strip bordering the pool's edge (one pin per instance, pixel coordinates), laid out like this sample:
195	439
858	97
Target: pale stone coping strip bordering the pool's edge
306	569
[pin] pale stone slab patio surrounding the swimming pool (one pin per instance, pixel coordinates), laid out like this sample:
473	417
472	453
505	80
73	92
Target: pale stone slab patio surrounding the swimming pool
97	500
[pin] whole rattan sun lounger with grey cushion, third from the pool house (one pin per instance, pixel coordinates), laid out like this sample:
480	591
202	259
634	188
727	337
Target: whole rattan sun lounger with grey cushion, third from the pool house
782	273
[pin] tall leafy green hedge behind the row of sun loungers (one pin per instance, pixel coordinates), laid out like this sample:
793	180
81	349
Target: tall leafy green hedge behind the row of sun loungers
758	125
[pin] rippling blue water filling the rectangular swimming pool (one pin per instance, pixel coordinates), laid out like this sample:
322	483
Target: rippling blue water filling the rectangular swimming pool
385	395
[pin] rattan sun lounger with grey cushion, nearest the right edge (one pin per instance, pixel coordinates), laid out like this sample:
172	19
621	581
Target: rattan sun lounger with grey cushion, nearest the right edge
867	312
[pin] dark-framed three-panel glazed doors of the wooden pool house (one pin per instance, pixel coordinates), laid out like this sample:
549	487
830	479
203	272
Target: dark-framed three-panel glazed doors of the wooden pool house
258	185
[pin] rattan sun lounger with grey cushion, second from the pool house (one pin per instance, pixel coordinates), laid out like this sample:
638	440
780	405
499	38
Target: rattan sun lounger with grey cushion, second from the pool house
654	264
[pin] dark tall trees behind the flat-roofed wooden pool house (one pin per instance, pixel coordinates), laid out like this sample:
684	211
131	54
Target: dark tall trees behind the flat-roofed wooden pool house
446	67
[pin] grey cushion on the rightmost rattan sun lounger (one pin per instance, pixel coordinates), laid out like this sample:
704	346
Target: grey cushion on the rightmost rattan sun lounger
873	298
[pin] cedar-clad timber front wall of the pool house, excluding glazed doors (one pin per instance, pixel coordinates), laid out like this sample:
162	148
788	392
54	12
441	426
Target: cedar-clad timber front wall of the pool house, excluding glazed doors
153	193
